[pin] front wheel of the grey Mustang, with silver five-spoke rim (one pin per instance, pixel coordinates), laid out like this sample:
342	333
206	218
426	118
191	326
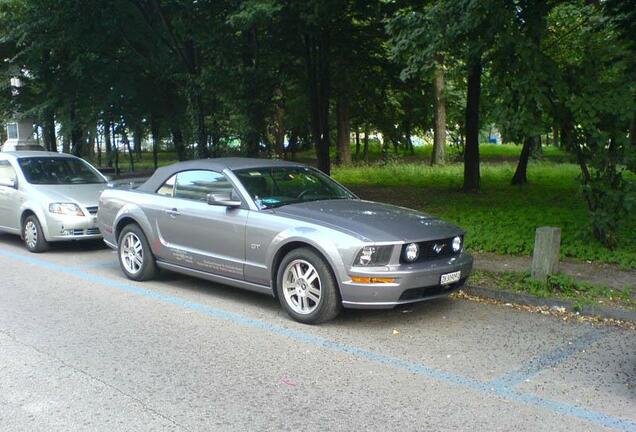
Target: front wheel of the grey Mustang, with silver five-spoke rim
306	287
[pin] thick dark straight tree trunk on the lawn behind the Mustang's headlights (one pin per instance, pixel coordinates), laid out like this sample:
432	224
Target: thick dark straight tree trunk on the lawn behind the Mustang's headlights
471	149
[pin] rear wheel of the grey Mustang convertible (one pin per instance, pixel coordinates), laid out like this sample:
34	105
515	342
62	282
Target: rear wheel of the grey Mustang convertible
135	257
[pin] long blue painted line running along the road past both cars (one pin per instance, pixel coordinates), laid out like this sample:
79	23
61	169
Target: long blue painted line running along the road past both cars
501	389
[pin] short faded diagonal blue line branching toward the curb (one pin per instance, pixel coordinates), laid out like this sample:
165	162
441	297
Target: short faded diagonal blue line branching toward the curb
548	360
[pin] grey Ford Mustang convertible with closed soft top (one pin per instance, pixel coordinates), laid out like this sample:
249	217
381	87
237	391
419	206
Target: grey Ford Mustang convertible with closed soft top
285	229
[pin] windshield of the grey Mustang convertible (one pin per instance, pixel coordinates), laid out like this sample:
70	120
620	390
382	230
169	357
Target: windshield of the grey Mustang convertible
275	187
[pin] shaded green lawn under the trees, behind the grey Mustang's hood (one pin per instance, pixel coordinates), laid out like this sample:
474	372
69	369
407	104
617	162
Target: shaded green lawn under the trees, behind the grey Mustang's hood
502	218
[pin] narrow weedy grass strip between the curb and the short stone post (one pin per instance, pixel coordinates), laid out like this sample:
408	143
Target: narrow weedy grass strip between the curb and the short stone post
557	286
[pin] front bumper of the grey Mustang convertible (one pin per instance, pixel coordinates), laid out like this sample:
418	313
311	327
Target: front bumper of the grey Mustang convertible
413	283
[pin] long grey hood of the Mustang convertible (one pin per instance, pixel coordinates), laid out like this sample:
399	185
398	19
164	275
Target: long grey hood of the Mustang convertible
375	222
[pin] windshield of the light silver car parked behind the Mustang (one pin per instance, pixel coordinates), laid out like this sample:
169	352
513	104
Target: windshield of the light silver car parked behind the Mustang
58	170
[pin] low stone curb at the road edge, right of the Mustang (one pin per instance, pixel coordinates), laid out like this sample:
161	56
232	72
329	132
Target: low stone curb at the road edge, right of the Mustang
530	300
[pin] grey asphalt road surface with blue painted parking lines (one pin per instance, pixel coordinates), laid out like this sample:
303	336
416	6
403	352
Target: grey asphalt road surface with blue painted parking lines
83	348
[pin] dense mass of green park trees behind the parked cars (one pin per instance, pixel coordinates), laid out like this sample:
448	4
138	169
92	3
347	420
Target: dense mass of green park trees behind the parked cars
269	77
